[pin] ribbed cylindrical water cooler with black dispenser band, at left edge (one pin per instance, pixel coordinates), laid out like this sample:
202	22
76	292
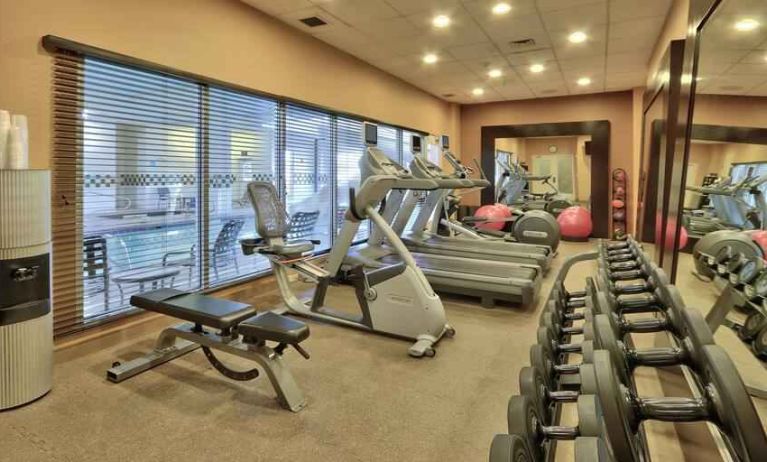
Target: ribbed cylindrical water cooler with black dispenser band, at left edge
26	324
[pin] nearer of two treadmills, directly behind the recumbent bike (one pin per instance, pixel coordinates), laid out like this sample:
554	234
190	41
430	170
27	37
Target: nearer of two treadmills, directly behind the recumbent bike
489	280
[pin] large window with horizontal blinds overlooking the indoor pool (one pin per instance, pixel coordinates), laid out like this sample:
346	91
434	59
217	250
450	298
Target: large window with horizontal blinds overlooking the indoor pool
162	163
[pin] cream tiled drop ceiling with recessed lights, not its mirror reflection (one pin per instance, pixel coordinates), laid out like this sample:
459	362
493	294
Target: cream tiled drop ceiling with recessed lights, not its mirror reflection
393	35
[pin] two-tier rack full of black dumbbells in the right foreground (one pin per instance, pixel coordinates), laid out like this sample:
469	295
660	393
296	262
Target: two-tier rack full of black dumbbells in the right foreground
606	372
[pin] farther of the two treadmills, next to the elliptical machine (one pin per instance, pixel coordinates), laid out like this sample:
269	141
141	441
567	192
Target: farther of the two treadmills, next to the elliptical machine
418	239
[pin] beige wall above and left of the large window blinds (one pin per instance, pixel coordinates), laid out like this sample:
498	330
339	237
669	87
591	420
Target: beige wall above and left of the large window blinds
222	39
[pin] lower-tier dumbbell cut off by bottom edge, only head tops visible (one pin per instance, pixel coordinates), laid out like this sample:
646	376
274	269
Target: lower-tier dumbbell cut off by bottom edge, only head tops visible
512	448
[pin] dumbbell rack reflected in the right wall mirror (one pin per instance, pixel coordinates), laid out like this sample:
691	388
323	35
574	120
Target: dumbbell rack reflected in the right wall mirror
729	298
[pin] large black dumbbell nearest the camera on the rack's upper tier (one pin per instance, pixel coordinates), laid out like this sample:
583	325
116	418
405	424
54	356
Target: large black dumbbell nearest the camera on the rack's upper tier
724	402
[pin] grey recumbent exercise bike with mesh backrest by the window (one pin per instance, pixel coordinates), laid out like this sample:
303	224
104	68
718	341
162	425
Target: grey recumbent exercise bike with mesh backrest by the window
395	300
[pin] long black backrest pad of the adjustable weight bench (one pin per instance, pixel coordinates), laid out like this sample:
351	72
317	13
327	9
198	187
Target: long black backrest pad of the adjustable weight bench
195	308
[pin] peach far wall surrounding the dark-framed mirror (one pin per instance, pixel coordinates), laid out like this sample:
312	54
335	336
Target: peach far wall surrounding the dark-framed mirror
615	107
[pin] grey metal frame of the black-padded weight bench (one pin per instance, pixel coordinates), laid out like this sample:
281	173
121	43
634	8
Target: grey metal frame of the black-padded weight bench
183	338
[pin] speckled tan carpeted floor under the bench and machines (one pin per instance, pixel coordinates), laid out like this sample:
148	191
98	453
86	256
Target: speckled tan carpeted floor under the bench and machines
367	400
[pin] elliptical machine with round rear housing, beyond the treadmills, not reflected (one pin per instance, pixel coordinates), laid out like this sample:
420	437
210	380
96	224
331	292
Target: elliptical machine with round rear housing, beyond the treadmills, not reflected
528	227
